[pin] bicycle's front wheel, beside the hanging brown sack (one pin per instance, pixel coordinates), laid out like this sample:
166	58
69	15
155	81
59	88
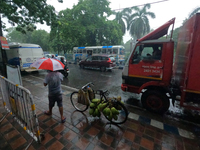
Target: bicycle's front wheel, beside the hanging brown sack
78	106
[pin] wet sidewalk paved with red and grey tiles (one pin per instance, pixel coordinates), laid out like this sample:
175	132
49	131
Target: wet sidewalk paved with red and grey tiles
81	131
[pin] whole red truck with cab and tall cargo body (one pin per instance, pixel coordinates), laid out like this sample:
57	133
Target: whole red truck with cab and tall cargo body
153	70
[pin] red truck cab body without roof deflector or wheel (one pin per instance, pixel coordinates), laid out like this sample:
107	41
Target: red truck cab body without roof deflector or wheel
149	64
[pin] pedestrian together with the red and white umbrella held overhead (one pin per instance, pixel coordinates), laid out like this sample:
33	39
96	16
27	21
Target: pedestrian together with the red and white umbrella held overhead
53	80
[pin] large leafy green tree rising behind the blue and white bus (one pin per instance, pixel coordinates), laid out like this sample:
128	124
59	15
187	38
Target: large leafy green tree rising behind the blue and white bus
85	24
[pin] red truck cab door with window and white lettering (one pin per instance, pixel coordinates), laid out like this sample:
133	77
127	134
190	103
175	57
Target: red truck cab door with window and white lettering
145	64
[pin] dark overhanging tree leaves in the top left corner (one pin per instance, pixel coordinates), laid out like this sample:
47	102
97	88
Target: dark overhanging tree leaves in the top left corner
25	13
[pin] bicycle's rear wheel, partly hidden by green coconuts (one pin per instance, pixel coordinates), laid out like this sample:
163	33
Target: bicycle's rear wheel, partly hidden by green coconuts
122	116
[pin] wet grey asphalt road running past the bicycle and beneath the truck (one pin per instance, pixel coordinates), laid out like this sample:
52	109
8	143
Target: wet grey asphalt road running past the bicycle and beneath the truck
111	81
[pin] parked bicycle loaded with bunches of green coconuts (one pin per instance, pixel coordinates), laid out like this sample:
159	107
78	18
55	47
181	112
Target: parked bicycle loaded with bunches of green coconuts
116	117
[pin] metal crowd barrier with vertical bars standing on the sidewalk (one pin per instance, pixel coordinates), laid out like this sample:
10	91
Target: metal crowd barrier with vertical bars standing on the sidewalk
18	102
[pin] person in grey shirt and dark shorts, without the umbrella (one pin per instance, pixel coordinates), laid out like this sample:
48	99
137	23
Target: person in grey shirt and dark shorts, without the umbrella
53	80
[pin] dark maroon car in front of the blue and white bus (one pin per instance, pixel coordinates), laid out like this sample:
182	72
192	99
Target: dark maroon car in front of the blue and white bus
102	62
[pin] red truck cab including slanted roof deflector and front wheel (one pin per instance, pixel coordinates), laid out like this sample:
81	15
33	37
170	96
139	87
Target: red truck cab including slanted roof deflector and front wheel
149	69
